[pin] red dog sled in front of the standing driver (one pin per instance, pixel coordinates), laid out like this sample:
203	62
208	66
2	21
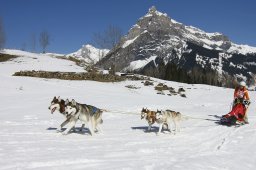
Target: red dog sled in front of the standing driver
237	114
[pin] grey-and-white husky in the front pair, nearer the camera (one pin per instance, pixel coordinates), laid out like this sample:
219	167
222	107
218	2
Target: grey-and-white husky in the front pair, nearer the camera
85	113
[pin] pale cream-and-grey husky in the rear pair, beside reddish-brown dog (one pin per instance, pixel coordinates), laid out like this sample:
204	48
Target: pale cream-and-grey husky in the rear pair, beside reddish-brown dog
166	117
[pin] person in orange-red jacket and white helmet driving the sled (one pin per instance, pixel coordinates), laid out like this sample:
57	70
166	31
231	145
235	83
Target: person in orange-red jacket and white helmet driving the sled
241	94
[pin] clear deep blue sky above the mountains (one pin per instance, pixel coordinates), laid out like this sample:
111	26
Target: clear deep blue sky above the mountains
72	23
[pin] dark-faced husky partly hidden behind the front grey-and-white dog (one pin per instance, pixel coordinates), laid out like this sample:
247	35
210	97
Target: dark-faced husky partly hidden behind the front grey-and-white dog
59	105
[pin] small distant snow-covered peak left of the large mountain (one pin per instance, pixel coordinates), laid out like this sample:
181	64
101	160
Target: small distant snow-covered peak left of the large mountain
89	54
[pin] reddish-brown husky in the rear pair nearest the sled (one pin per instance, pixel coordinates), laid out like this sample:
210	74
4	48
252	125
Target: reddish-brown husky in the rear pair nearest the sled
150	117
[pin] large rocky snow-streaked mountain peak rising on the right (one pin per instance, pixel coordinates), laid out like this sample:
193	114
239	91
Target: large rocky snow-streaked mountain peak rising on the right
156	39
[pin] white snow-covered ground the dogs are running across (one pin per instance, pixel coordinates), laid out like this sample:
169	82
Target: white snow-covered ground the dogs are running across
28	137
